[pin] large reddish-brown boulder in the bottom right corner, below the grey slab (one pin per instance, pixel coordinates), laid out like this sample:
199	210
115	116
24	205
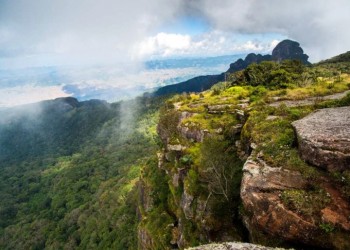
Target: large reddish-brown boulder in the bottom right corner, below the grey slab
266	209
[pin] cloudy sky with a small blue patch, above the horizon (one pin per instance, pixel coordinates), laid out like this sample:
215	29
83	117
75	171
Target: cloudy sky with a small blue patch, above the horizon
43	33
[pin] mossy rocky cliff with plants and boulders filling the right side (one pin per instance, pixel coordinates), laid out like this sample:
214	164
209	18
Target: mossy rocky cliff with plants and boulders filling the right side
232	165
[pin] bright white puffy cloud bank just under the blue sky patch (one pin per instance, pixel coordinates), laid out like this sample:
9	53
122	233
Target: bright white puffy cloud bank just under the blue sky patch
207	44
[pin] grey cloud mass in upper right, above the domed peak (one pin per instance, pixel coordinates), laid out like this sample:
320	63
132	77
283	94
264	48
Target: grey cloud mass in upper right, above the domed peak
319	25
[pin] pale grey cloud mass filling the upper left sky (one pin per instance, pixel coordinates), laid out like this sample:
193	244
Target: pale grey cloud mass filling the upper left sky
80	31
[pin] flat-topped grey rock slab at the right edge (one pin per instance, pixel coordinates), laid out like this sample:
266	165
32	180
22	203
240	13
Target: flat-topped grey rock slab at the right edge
324	138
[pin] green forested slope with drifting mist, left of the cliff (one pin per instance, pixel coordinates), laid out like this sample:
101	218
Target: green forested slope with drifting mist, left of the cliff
69	173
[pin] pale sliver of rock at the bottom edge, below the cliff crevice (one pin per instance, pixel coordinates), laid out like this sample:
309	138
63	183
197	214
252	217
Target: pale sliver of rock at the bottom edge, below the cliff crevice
233	246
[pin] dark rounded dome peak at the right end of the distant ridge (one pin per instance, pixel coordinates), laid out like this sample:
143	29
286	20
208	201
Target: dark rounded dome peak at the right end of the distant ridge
289	50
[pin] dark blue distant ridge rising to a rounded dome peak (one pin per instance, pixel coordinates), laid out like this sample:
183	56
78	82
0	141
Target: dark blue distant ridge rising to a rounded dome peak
285	50
